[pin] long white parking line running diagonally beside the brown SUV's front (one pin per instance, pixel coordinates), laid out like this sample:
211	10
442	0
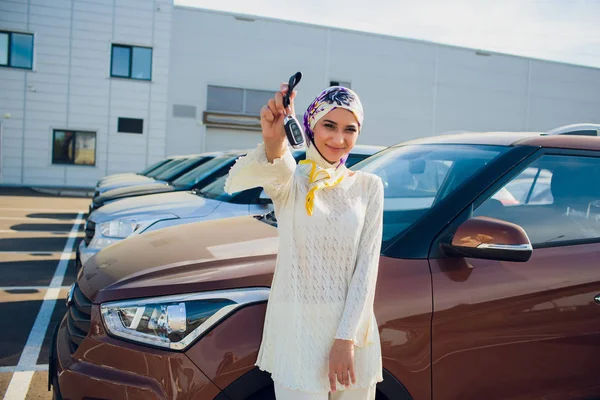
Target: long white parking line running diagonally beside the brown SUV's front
20	381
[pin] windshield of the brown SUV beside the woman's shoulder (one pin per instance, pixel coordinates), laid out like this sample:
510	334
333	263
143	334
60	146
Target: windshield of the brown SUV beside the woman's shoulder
416	177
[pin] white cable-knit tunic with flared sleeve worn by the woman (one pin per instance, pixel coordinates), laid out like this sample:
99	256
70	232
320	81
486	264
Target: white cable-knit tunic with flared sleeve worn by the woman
324	282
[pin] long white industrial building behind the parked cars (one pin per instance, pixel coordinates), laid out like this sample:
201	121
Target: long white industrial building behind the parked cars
196	80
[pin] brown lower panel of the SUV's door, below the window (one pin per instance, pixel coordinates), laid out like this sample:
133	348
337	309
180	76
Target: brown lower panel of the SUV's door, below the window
508	330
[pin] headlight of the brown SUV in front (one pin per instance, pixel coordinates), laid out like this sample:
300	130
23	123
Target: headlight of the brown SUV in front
174	322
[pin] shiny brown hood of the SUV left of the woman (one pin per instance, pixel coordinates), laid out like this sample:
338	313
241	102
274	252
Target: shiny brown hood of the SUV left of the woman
211	255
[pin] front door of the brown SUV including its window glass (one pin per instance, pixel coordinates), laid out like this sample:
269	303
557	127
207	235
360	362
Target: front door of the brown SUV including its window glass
526	330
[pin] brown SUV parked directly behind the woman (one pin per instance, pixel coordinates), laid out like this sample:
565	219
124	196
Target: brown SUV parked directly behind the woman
488	288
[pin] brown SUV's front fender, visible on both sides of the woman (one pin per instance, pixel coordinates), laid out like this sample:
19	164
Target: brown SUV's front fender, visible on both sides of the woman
403	311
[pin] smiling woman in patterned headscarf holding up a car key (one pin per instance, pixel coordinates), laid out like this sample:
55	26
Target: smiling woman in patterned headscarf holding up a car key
320	333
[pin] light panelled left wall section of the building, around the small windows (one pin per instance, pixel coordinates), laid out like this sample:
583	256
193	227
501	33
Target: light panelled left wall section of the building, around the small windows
70	87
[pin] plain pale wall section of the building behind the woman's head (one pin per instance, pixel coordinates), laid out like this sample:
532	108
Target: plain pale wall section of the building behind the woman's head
409	89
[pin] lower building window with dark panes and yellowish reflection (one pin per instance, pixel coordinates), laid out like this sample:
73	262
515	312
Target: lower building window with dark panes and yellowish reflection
74	147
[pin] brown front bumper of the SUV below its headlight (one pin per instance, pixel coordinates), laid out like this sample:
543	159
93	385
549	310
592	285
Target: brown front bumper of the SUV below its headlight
105	368
